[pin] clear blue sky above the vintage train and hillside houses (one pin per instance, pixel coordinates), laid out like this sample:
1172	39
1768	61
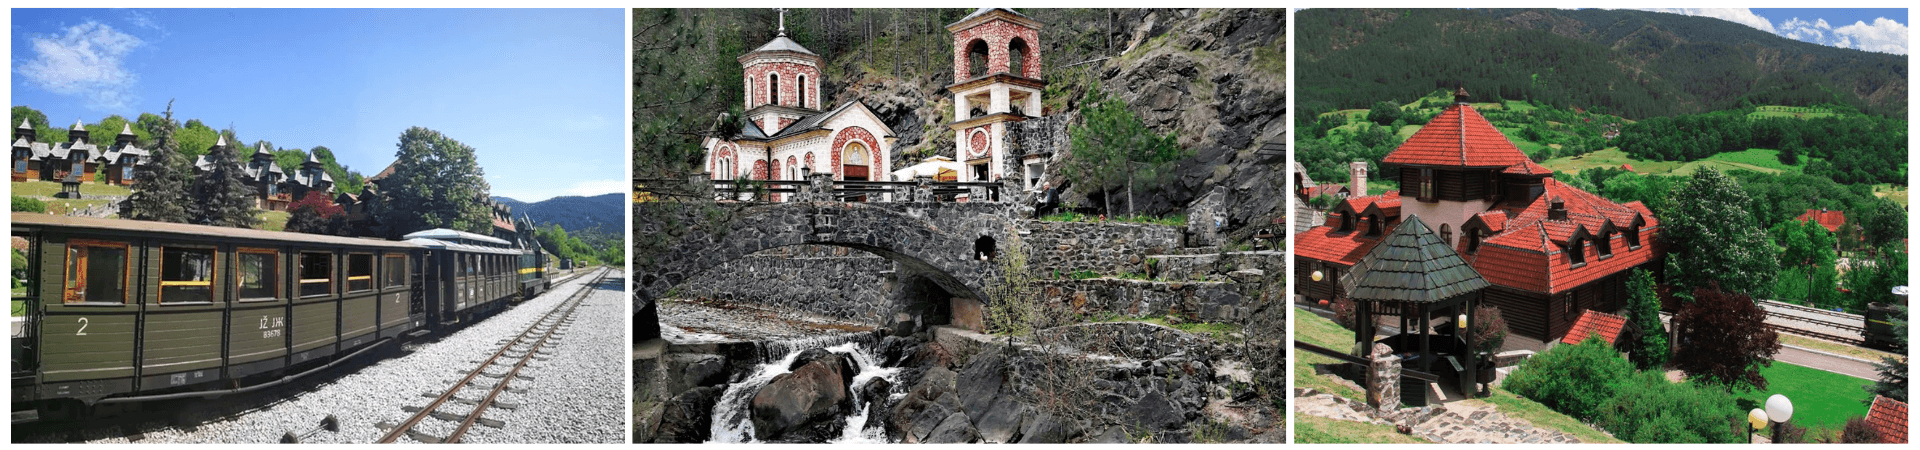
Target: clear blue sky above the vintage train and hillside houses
539	93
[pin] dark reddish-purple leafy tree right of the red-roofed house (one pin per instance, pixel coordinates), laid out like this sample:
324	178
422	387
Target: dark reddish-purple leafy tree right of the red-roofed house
1725	339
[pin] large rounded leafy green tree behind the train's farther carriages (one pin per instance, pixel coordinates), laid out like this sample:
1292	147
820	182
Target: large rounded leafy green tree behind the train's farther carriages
437	184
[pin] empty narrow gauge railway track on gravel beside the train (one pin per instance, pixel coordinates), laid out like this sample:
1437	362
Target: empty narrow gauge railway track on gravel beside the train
517	355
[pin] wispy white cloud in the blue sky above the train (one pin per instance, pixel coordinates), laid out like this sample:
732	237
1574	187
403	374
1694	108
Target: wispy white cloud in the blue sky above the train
89	61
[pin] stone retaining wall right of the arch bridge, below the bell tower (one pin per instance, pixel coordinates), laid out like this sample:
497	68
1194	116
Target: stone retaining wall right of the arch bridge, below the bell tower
1107	249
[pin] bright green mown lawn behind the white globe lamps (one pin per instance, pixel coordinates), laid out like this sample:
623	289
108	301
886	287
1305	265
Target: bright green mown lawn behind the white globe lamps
1821	399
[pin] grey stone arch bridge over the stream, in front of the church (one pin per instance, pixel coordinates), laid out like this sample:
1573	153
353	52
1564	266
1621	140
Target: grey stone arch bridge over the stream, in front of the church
930	241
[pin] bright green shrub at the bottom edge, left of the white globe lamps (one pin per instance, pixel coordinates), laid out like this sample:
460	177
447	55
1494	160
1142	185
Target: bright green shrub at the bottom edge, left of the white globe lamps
1650	411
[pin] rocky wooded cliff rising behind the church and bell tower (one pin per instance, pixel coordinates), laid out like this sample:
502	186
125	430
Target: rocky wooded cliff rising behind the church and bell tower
1214	78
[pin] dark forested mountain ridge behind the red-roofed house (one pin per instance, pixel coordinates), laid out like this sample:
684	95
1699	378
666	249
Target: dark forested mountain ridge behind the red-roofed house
1633	64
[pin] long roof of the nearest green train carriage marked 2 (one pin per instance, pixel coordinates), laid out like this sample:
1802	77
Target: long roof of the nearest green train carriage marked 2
185	230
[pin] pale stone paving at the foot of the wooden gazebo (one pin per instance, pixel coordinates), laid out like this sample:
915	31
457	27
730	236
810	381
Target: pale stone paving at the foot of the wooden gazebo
1451	424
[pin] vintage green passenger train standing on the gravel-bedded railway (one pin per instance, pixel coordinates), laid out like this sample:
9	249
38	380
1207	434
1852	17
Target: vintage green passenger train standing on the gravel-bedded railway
118	312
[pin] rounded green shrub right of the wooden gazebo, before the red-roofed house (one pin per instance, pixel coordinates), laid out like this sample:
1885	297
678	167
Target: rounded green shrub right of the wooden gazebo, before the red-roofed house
1572	380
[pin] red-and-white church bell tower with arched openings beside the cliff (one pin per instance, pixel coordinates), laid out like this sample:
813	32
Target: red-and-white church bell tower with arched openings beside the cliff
997	82
